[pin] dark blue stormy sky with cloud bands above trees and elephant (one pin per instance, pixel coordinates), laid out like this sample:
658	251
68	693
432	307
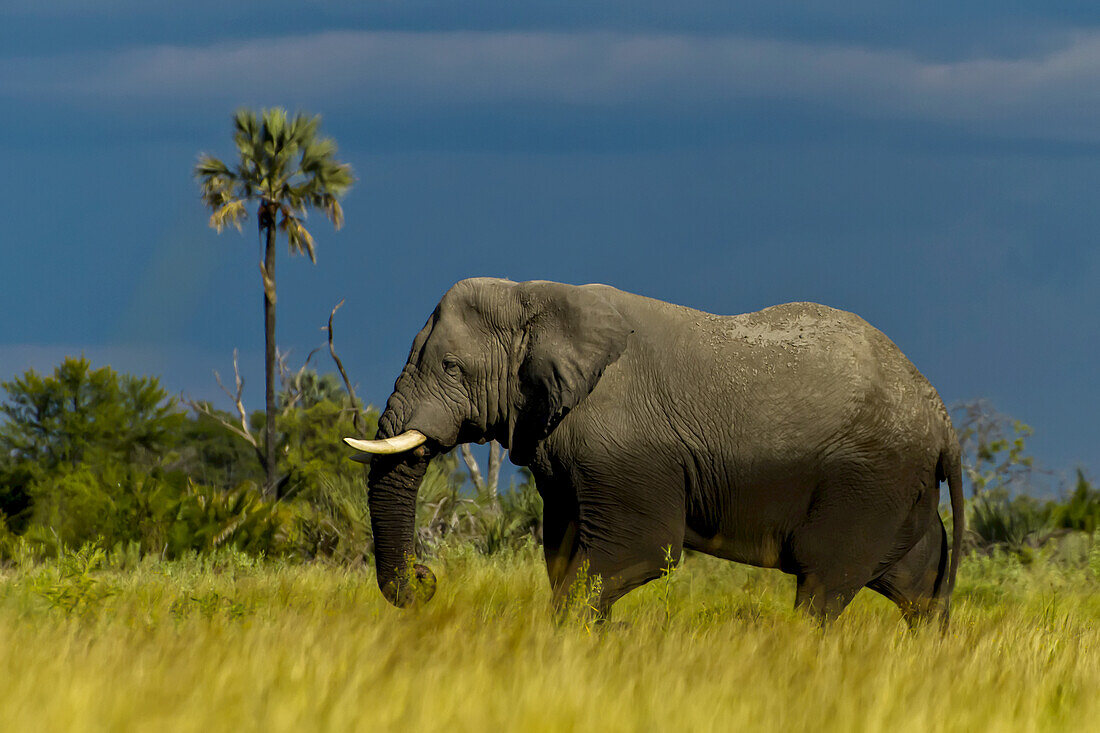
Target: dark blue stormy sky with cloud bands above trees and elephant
931	167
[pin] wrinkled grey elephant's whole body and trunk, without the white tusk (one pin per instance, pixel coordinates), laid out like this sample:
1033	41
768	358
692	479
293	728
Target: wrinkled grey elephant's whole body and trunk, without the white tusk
798	437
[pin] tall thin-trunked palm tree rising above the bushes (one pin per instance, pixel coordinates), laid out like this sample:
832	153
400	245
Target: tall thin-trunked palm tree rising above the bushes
285	169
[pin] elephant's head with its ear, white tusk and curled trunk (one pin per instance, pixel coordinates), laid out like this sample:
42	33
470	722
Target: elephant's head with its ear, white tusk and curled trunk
497	360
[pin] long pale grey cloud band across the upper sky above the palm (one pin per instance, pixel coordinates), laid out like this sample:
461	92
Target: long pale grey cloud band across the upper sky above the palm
1053	94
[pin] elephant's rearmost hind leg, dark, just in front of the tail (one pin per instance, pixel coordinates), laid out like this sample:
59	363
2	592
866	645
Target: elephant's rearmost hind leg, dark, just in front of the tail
918	582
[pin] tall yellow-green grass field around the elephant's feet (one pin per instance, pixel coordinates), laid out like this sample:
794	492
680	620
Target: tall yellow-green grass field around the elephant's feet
227	643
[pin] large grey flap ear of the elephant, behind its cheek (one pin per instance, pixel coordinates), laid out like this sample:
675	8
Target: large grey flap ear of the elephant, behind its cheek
573	334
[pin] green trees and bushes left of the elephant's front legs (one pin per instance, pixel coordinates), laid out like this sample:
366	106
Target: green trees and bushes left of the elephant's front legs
94	456
